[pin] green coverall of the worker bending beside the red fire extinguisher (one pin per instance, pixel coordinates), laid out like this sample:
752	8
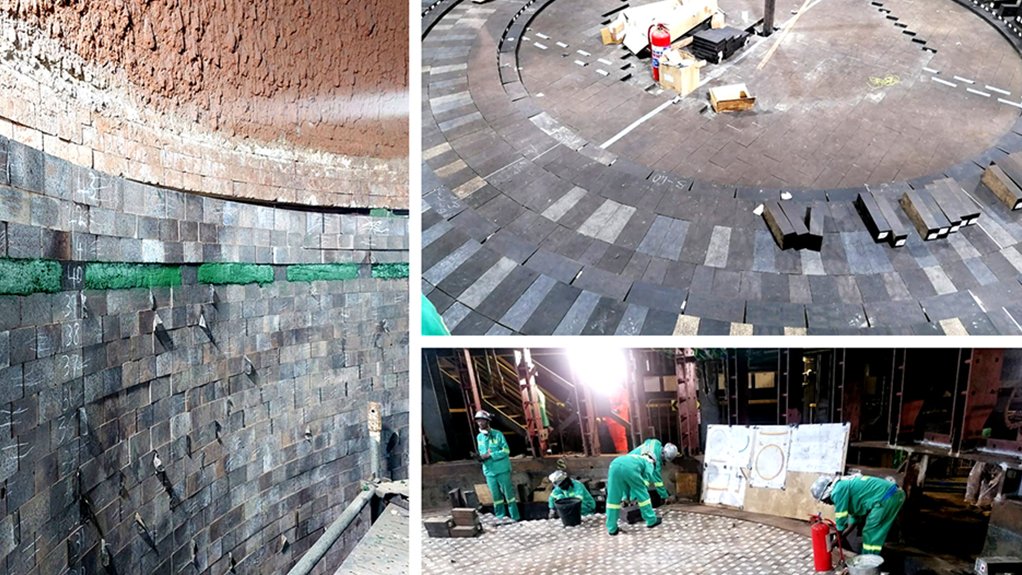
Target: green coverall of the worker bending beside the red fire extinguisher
872	500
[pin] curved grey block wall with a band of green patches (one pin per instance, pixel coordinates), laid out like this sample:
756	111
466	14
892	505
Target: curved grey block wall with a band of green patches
184	380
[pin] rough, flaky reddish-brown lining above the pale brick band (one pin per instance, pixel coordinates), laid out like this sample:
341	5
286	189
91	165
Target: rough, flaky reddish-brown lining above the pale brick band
311	73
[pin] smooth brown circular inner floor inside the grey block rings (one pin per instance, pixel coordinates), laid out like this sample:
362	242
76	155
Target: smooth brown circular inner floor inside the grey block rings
857	93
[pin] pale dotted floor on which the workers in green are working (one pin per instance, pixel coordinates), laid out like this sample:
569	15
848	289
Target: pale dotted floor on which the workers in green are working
684	544
